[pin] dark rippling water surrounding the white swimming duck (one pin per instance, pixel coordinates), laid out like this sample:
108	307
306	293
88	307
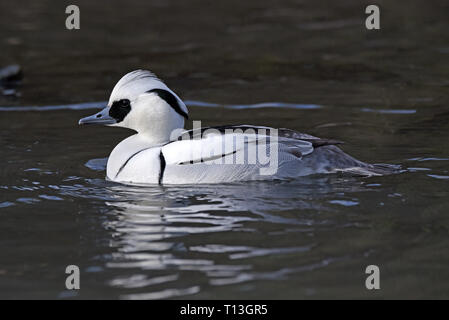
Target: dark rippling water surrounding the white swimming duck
385	93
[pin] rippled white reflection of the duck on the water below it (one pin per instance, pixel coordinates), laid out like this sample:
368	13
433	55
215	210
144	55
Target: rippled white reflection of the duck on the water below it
170	241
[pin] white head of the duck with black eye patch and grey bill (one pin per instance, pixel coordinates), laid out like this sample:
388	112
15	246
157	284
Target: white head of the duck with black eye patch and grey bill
142	102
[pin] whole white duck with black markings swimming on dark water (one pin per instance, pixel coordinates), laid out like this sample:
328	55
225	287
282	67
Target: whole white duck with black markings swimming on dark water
162	152
